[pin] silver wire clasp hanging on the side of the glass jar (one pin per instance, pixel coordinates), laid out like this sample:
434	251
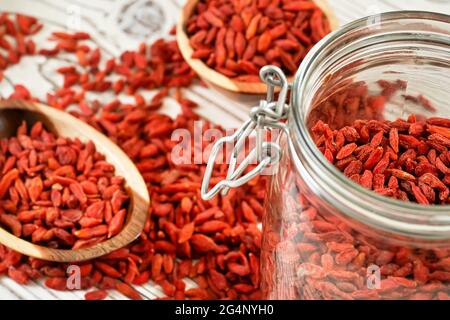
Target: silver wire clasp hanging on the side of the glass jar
266	116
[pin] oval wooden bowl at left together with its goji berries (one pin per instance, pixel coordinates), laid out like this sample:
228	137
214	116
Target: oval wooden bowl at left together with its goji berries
62	192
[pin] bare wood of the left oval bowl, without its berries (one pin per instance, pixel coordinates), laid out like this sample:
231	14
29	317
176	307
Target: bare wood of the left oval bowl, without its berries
12	112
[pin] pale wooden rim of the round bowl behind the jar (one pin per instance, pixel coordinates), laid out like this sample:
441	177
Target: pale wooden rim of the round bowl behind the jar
216	78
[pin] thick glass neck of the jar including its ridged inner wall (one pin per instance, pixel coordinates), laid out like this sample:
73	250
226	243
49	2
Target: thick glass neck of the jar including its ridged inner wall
361	45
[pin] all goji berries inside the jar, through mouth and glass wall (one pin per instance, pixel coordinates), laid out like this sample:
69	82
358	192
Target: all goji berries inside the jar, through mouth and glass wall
313	251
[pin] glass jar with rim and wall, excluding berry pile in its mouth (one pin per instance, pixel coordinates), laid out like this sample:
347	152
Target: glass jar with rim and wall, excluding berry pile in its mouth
326	237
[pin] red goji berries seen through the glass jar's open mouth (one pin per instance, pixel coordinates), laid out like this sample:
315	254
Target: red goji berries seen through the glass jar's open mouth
404	159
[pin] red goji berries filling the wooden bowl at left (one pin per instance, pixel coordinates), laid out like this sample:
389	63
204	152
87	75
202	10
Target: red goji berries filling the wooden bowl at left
58	192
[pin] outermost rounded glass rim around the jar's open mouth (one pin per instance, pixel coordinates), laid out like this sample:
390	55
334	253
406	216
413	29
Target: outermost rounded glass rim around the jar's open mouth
388	214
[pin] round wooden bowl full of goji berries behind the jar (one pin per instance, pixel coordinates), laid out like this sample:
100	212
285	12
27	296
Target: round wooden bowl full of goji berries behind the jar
227	42
